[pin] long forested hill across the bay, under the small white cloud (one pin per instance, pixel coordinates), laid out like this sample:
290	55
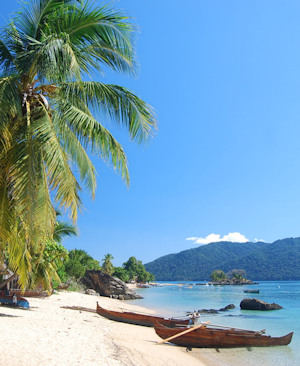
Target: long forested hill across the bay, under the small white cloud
261	261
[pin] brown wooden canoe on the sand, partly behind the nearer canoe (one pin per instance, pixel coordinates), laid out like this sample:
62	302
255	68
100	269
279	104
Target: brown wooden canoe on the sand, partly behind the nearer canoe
139	319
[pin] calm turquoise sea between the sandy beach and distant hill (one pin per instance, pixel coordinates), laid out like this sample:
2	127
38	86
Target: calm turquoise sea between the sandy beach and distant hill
179	298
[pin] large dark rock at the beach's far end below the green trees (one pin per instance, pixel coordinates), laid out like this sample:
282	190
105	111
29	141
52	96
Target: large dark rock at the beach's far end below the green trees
106	285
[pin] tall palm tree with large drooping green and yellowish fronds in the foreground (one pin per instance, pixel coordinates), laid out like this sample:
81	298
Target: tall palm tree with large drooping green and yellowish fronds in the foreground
51	117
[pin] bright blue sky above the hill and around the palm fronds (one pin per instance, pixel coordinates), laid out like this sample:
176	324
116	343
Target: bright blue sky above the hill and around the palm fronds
224	80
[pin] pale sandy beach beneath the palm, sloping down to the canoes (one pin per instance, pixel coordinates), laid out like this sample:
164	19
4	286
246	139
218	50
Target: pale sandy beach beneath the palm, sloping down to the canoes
48	335
